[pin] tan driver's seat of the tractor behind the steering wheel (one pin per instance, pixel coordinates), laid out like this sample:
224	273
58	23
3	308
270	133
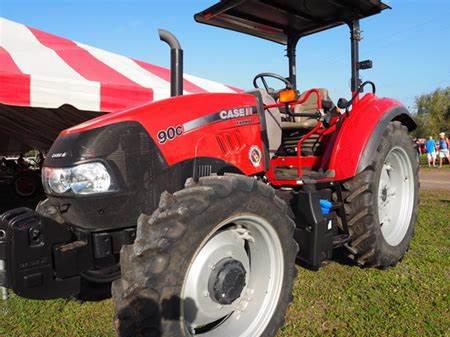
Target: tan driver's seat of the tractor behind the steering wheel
309	106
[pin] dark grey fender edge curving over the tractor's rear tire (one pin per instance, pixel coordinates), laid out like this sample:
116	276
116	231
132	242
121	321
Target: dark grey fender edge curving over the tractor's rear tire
400	114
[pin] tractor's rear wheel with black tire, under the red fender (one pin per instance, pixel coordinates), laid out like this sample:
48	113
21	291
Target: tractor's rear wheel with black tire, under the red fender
381	202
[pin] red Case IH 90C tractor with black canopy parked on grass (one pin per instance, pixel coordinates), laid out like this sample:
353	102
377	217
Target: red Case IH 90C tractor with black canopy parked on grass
192	211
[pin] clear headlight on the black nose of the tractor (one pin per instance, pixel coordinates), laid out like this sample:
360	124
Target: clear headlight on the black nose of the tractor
87	178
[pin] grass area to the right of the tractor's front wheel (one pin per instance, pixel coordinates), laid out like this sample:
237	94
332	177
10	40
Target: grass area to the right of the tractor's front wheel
412	299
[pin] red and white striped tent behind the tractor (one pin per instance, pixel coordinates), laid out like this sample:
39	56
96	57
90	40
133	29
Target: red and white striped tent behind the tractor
48	83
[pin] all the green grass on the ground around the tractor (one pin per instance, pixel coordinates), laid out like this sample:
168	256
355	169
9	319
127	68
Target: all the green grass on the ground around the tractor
412	299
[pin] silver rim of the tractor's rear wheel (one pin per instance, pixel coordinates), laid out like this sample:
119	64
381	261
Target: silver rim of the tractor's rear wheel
396	196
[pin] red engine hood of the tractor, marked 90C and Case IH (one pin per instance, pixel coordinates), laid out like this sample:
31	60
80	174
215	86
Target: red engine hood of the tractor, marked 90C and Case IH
228	139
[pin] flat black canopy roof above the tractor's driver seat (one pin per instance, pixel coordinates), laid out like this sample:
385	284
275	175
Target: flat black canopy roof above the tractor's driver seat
276	20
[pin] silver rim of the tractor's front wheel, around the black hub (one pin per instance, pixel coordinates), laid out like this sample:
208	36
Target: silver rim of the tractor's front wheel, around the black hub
253	242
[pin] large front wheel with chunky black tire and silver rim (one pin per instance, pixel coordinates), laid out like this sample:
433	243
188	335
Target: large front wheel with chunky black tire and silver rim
215	259
